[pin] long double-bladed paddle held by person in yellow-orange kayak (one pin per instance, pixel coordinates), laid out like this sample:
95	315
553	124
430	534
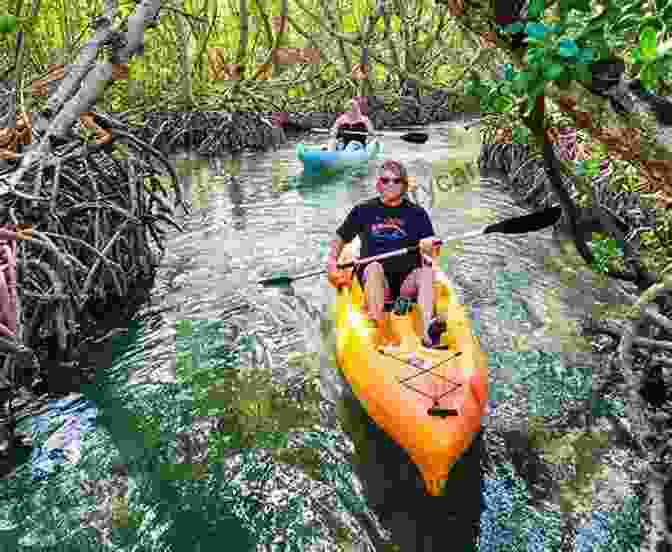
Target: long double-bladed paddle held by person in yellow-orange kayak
518	225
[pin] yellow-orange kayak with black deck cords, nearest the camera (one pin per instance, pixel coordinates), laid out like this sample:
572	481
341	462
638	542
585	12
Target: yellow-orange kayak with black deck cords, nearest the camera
430	401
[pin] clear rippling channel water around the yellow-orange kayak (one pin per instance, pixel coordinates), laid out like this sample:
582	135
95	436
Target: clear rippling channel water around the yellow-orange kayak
208	318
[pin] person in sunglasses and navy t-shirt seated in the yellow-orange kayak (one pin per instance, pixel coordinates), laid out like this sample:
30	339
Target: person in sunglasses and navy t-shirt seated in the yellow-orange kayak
383	224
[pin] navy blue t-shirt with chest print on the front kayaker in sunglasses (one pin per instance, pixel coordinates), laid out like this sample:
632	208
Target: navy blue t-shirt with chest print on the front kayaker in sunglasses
383	229
